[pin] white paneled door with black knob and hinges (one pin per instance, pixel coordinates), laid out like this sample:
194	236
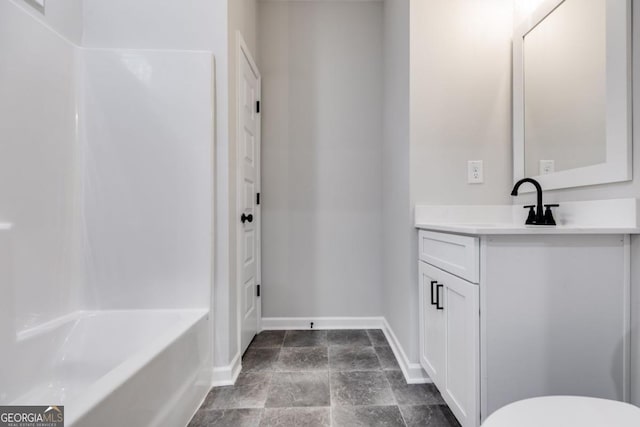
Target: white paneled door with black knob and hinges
248	188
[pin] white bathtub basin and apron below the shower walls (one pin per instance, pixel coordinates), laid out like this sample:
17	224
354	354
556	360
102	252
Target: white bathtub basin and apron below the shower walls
136	368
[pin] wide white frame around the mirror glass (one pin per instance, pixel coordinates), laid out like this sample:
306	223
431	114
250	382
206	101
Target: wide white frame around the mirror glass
619	162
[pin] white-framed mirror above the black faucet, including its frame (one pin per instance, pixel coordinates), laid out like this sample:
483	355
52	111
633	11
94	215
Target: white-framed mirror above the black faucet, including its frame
572	93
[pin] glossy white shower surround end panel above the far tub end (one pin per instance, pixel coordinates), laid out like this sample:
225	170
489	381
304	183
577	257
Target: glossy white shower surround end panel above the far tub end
147	144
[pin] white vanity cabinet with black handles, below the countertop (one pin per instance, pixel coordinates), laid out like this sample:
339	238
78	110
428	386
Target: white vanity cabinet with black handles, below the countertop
508	317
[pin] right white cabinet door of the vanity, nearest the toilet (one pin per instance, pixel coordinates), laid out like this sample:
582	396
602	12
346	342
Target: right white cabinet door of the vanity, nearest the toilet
462	346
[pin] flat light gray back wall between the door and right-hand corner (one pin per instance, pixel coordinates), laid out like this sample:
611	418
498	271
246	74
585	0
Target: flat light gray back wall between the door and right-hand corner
321	64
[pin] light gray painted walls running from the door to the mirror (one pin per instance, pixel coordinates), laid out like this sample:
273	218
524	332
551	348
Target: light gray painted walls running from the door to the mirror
321	209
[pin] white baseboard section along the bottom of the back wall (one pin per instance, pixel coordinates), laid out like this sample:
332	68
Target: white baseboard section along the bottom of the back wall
292	323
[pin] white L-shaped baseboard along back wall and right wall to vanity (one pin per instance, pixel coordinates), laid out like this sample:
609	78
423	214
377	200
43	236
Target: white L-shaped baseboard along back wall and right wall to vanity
413	372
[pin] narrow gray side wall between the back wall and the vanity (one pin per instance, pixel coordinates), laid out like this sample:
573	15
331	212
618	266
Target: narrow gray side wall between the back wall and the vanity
399	249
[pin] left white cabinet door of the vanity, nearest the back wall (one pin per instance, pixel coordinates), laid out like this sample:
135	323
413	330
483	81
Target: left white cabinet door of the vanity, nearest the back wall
432	330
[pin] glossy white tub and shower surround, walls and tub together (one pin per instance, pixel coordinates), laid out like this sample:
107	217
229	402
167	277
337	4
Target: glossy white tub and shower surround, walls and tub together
106	204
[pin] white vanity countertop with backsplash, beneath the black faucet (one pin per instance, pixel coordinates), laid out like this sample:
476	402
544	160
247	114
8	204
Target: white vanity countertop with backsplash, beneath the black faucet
619	216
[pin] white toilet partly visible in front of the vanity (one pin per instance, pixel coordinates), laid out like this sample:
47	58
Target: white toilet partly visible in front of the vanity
565	411
